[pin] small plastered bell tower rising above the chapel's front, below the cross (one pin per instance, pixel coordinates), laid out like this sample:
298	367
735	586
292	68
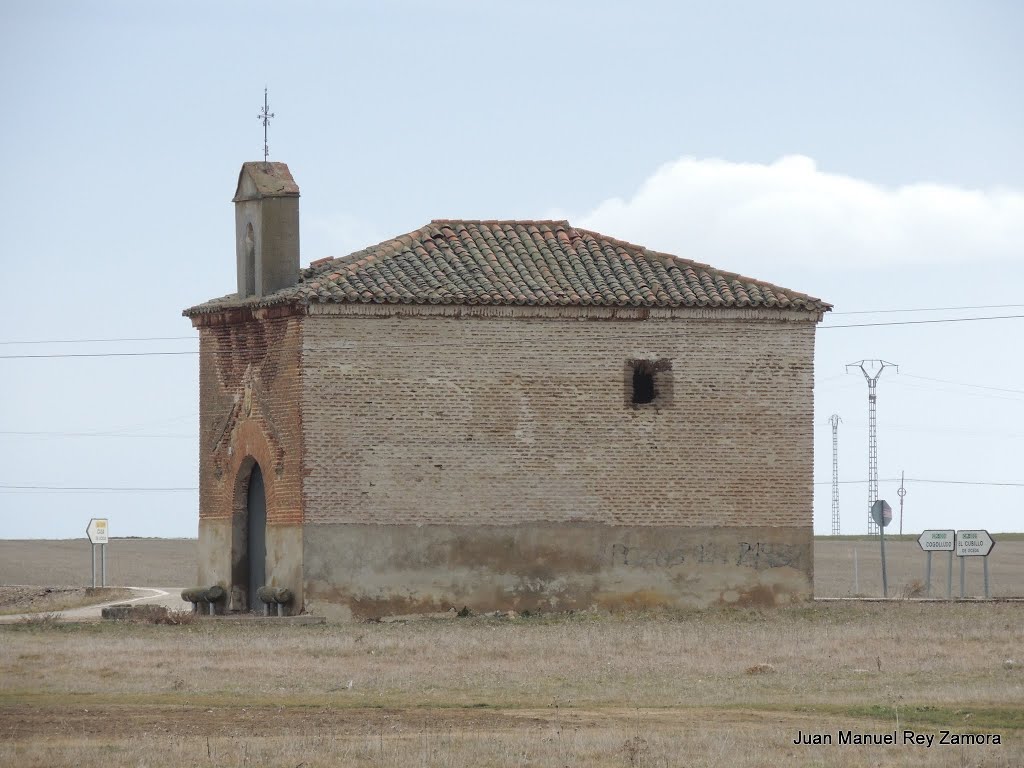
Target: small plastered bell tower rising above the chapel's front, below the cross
267	230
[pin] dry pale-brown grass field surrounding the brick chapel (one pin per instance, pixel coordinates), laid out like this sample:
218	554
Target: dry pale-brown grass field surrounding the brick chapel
703	689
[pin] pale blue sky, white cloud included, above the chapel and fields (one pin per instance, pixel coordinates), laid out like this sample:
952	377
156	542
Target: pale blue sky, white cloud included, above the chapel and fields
867	153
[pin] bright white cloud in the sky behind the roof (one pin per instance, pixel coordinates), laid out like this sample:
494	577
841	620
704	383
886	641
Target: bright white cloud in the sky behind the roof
744	217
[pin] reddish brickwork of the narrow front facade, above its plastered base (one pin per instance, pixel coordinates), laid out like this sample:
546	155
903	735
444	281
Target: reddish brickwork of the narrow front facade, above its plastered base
249	407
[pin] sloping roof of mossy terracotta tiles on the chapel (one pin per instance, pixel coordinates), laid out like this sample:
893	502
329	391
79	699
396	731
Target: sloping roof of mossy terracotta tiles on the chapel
534	264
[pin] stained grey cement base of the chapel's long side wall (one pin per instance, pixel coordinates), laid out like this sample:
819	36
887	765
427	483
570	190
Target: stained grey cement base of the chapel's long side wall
359	571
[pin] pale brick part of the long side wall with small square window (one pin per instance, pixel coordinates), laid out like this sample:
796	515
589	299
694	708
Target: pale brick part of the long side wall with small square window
426	417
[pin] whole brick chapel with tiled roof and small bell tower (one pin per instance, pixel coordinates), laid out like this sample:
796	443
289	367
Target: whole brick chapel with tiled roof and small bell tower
499	415
